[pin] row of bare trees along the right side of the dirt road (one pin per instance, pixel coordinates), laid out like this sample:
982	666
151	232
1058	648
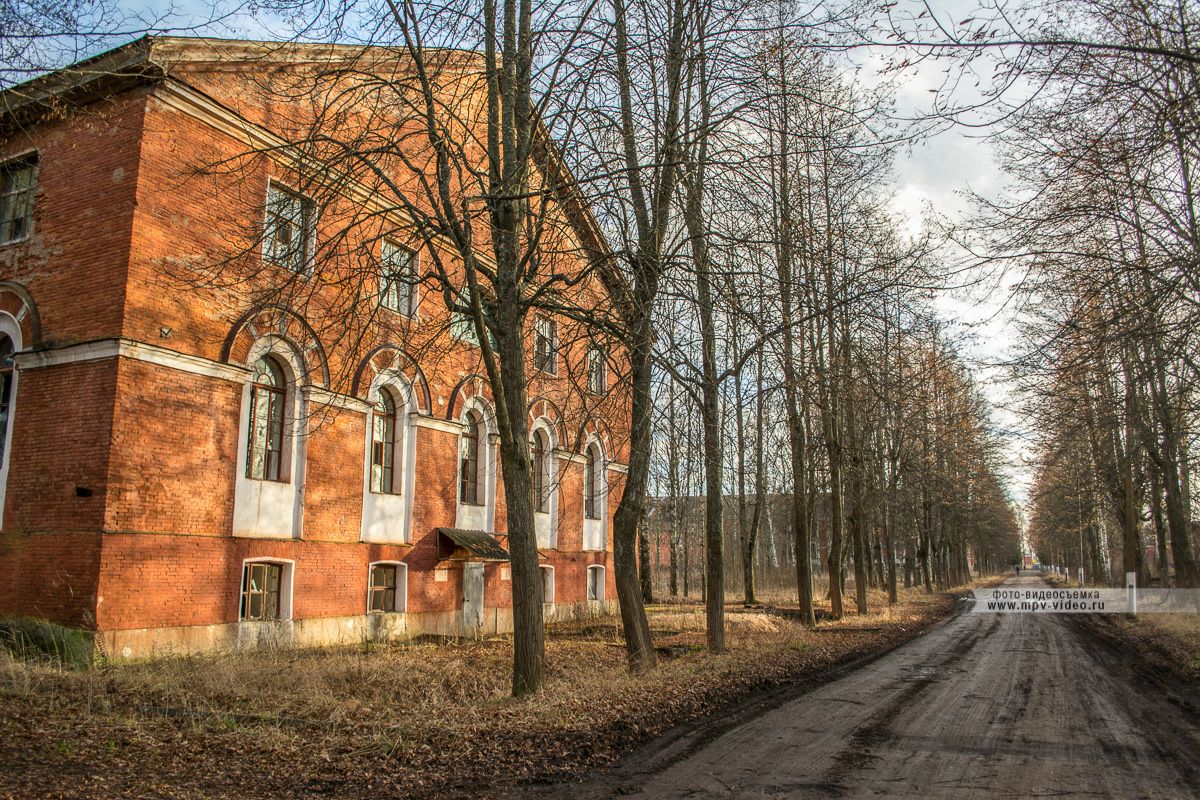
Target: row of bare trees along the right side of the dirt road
1105	160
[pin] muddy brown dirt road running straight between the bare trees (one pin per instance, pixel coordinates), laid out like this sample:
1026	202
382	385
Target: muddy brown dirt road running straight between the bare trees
986	706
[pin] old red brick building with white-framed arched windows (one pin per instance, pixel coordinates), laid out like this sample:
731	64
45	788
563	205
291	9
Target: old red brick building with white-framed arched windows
183	470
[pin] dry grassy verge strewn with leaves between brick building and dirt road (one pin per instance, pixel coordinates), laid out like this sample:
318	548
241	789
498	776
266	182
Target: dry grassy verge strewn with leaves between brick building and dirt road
412	720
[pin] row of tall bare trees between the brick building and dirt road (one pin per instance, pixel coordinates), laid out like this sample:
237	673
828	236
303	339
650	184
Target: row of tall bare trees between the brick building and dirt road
736	248
